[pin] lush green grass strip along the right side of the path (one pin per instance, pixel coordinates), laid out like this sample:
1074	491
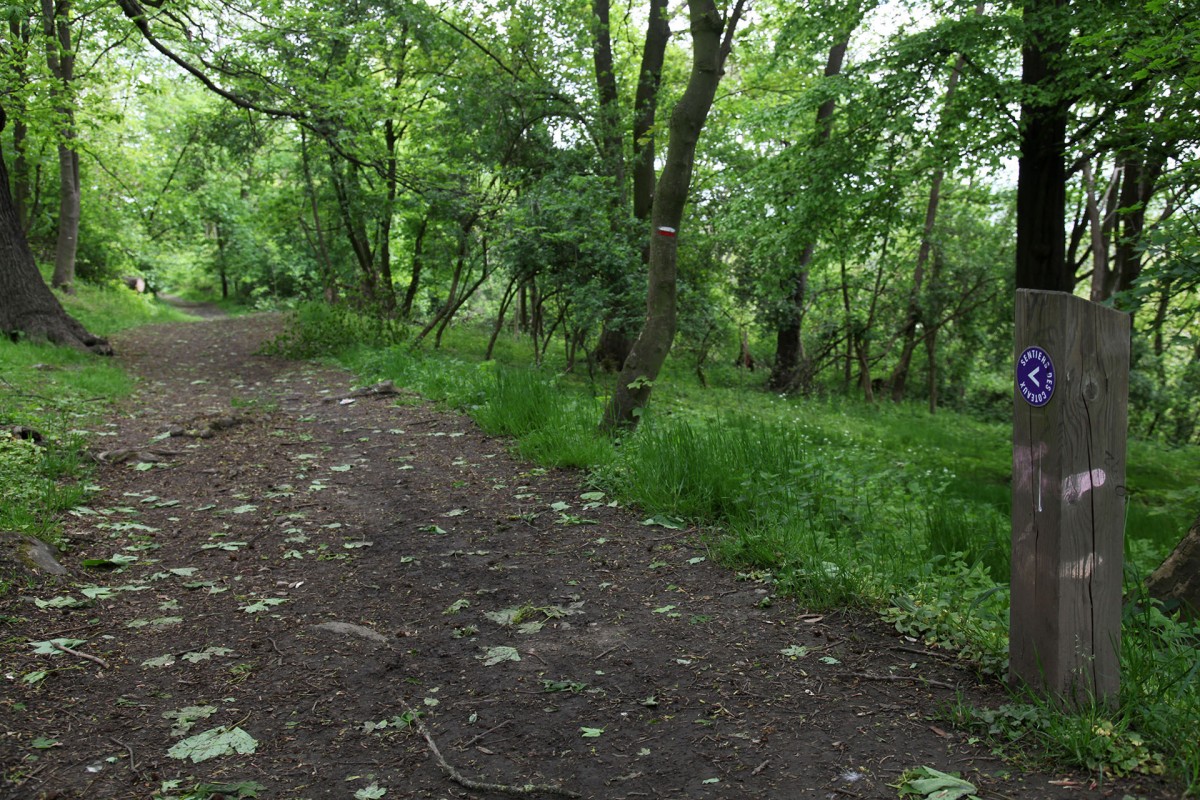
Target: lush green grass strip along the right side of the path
845	504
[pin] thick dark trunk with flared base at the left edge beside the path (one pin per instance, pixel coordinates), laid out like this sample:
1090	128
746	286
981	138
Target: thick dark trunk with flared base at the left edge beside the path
28	308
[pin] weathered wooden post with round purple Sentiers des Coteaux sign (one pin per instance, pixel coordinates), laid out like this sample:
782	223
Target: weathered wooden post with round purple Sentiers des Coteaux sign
1070	417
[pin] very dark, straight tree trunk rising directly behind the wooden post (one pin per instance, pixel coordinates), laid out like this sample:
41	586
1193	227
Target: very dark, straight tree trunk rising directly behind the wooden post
1042	169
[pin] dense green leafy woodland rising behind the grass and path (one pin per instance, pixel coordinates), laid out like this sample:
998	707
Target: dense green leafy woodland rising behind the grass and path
857	187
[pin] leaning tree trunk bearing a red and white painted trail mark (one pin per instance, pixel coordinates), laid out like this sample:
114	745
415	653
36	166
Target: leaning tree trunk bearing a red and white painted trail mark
641	369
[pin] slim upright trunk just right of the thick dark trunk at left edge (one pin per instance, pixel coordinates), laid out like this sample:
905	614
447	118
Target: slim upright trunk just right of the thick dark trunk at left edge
61	59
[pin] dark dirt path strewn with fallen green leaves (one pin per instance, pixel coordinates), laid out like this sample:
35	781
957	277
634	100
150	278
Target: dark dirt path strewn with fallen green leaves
315	567
